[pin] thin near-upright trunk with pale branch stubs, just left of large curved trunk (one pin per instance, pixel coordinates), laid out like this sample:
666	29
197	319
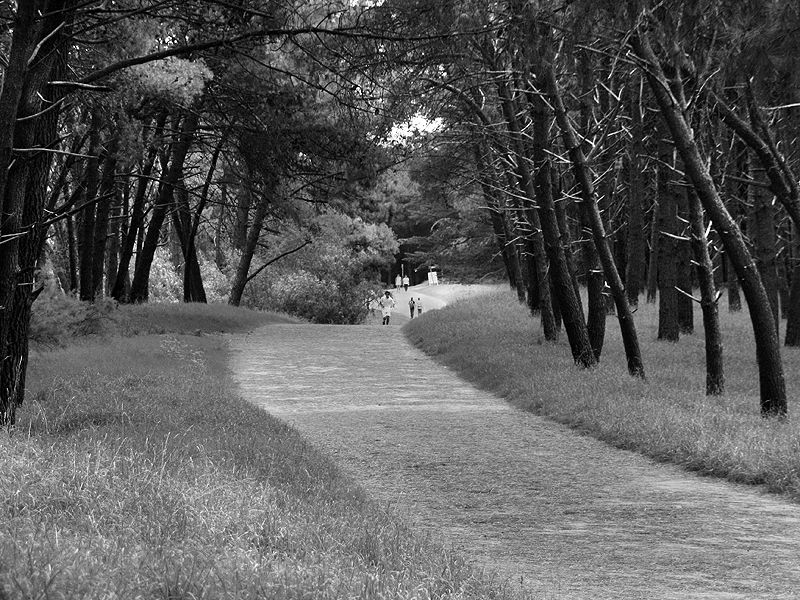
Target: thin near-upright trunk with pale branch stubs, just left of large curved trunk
715	377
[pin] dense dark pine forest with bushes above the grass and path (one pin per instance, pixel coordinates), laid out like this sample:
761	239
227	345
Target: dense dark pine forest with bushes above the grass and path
291	155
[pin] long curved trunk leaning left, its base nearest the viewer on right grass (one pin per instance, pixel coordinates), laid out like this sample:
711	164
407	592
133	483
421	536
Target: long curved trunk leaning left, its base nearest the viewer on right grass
772	383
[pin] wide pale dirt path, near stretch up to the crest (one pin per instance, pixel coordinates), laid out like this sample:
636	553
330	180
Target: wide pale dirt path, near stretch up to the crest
556	514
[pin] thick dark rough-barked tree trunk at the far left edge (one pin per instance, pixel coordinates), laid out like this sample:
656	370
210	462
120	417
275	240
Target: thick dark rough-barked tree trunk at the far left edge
23	185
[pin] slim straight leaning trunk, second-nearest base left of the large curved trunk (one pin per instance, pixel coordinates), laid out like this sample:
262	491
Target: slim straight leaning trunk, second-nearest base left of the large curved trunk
589	199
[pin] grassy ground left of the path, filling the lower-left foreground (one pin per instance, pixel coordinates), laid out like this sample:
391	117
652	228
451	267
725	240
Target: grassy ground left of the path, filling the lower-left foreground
137	472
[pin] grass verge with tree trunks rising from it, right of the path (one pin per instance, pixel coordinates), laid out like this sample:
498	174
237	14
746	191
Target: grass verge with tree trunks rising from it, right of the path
493	342
